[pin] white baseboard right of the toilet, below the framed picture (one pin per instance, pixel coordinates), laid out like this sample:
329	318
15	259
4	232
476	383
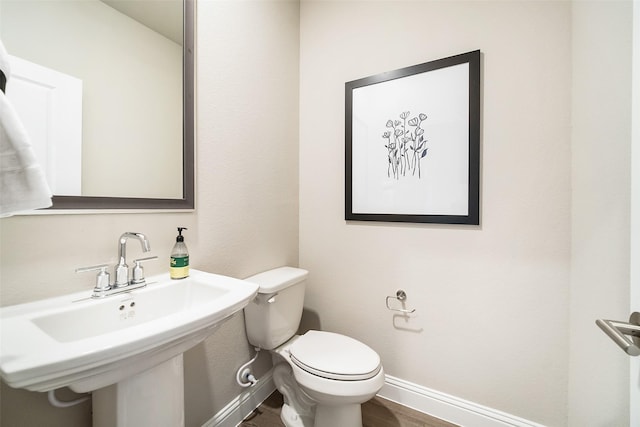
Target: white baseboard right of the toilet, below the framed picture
446	407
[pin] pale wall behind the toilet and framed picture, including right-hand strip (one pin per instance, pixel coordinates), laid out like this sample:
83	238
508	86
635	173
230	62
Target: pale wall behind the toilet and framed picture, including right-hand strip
494	302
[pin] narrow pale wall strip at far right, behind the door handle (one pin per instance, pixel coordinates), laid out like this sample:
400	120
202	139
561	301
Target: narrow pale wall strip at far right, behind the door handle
600	208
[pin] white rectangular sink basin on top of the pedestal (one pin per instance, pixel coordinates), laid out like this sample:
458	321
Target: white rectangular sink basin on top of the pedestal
86	344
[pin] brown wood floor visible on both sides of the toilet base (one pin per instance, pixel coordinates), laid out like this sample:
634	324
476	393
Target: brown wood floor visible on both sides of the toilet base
377	412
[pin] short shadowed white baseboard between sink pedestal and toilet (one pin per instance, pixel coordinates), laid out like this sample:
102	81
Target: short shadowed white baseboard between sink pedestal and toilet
240	407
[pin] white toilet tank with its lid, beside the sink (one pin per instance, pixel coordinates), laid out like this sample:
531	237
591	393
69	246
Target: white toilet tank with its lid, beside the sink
274	315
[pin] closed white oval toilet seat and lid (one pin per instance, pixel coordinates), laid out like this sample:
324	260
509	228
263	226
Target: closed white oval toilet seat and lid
334	356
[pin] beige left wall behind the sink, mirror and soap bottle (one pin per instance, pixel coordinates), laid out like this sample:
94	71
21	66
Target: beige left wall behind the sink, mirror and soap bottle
246	218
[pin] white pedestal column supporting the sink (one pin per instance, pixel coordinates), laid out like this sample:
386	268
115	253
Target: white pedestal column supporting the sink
154	397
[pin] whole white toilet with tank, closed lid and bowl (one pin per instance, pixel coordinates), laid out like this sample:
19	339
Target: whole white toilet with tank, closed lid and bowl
324	377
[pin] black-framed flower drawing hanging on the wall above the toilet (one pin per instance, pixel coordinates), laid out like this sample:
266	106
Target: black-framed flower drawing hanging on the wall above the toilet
412	143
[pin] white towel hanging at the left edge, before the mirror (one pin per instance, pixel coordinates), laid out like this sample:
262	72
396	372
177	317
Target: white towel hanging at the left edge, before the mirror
22	182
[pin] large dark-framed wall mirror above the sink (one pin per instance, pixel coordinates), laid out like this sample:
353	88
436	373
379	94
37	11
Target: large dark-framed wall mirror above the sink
132	63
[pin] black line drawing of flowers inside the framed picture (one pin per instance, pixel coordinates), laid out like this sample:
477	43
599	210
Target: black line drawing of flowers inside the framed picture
406	145
